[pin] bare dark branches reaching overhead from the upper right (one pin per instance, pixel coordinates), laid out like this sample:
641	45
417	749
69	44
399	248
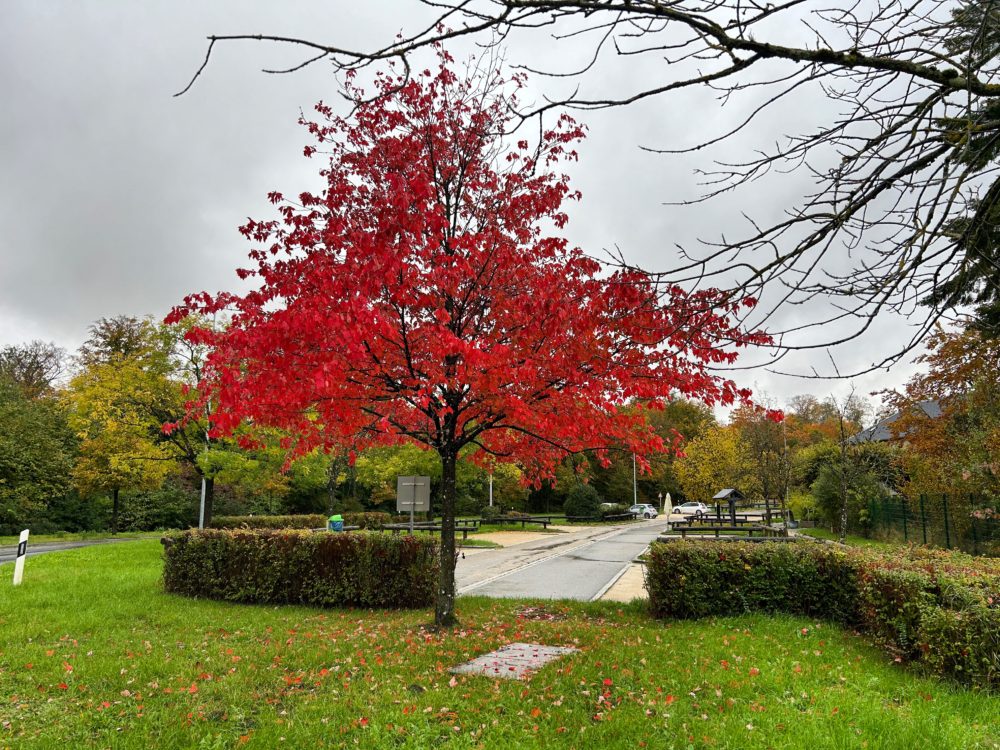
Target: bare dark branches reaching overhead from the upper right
902	219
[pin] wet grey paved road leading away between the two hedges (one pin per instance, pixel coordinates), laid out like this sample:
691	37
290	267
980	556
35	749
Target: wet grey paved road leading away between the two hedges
578	565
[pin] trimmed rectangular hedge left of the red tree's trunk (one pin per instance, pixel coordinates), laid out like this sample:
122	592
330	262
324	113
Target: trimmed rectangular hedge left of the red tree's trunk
298	567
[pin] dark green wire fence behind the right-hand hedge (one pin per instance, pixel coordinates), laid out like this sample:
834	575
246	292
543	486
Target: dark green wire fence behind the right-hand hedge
965	522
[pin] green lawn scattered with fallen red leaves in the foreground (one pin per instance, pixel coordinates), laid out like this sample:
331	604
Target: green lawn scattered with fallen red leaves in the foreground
94	654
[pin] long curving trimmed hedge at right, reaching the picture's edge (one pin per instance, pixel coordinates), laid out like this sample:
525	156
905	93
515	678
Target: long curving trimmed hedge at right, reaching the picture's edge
939	608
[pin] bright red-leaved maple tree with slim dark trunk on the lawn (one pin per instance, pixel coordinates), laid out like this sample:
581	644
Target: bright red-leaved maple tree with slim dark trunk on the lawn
424	296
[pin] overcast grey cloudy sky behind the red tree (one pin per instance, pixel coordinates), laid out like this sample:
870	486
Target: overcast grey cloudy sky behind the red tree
117	198
